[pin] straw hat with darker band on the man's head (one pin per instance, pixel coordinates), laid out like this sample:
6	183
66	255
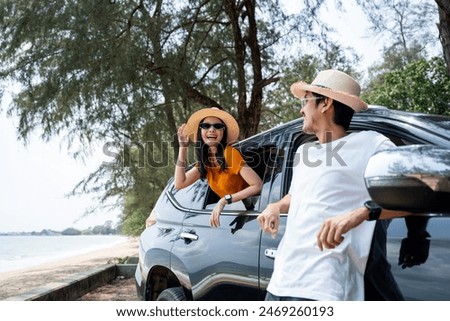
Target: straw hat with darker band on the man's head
334	84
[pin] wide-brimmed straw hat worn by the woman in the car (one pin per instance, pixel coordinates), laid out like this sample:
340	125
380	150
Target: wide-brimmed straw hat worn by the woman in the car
229	121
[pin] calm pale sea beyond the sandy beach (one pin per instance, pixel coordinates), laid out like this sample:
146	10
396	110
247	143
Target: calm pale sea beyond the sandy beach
24	251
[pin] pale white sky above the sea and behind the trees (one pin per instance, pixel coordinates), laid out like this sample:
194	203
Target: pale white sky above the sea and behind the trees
35	178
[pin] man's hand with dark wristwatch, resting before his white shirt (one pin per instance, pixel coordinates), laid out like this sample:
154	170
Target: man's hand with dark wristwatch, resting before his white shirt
331	233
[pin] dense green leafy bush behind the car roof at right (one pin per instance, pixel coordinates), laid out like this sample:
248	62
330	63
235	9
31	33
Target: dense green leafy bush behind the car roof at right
422	86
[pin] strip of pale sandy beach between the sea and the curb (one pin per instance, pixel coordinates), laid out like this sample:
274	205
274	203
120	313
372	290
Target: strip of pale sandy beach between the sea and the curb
17	282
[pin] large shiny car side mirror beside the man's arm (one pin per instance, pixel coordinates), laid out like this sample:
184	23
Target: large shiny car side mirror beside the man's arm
414	178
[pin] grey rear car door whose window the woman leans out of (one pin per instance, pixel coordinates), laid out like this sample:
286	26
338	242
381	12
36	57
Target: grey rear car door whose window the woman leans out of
222	263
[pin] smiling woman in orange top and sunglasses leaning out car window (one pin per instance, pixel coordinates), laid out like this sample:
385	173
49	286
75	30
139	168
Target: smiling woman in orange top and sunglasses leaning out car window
228	175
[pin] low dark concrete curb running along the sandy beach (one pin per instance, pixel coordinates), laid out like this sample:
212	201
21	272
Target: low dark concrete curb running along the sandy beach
77	285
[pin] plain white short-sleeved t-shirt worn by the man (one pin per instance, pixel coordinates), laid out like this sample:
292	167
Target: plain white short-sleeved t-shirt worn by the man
328	180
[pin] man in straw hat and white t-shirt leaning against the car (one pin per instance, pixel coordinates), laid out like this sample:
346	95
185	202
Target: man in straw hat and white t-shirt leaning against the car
323	253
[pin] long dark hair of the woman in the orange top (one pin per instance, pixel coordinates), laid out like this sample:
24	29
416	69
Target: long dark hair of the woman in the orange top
202	150
